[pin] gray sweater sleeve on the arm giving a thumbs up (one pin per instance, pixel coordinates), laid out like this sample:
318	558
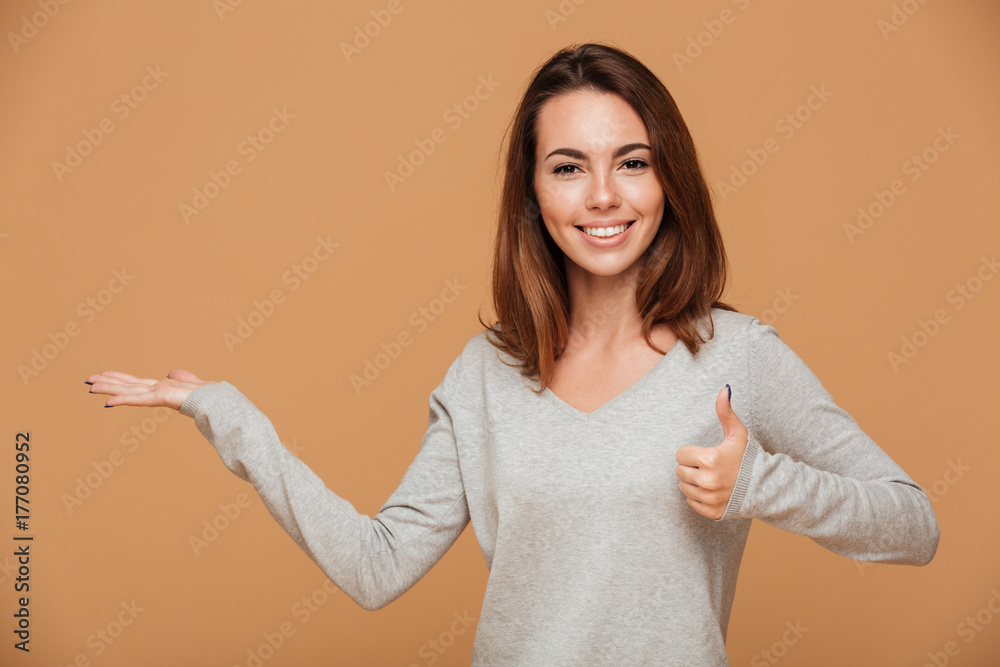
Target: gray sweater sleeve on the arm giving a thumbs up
810	469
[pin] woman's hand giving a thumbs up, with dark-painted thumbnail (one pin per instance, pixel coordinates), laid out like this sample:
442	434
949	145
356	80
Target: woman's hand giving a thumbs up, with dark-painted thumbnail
708	474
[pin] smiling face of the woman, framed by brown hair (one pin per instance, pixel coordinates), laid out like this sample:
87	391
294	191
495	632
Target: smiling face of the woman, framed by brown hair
599	197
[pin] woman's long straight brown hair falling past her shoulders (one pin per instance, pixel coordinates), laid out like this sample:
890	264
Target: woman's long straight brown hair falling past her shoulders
685	267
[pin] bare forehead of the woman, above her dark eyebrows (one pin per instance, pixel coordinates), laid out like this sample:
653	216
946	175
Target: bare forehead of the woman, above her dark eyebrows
589	120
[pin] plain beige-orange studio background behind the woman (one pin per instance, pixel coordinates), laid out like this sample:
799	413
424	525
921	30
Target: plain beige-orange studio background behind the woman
851	304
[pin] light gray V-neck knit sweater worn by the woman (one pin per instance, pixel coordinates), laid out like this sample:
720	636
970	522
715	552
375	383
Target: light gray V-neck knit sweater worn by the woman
595	556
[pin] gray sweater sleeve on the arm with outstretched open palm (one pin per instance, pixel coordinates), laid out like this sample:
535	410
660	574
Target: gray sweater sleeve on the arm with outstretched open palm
373	560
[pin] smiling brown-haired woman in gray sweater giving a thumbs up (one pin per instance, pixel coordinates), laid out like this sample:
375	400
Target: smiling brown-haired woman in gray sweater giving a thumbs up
611	502
